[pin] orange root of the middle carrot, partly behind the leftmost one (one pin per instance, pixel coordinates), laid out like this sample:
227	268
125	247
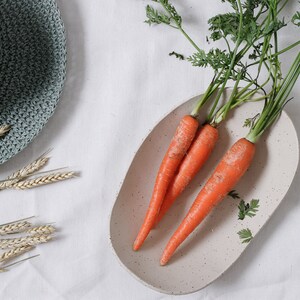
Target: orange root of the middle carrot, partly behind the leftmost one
197	155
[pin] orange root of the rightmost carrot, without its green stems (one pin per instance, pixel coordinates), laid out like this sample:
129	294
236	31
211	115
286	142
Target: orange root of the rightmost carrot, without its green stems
228	172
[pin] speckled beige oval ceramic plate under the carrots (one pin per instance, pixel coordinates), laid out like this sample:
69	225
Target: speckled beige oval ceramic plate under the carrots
215	245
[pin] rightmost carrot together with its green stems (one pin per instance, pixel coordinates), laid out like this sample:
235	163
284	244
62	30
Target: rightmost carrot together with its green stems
236	161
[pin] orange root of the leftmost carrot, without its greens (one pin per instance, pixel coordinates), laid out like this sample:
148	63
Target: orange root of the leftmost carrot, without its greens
180	143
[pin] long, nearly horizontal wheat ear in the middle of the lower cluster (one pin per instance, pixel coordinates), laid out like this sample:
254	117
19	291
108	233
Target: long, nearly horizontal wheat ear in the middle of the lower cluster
24	241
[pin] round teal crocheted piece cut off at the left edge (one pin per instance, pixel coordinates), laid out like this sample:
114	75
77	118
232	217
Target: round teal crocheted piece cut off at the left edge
32	69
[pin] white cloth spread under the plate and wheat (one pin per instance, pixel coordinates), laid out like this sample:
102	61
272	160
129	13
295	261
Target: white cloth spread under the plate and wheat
120	83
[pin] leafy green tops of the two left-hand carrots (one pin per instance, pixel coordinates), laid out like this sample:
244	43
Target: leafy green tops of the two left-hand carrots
242	31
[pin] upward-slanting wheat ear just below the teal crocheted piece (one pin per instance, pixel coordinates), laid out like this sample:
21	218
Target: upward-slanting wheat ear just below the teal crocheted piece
26	171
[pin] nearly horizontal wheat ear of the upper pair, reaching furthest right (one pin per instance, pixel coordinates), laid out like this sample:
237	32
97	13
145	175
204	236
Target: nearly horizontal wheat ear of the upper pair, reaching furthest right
42	180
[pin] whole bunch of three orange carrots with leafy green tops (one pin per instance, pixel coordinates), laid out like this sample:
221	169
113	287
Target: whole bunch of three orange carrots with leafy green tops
249	31
